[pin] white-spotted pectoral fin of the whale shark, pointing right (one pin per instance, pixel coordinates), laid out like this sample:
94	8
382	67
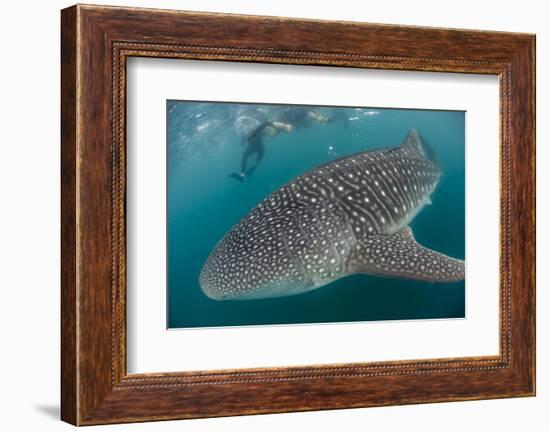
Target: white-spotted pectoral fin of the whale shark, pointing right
399	255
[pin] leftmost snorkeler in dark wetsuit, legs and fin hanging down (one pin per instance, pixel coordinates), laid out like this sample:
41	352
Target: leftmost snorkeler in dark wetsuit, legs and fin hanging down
255	145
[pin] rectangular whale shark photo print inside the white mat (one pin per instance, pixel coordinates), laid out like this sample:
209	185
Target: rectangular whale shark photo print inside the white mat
311	208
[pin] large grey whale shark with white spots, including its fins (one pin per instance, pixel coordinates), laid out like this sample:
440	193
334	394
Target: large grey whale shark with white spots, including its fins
348	216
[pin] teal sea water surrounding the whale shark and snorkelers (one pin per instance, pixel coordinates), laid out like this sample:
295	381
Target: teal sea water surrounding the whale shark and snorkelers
205	147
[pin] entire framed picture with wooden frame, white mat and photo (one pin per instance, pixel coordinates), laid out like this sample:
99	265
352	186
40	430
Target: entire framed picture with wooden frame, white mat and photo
317	215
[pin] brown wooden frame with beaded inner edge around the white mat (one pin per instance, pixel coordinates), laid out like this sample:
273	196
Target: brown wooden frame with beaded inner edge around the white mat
95	43
